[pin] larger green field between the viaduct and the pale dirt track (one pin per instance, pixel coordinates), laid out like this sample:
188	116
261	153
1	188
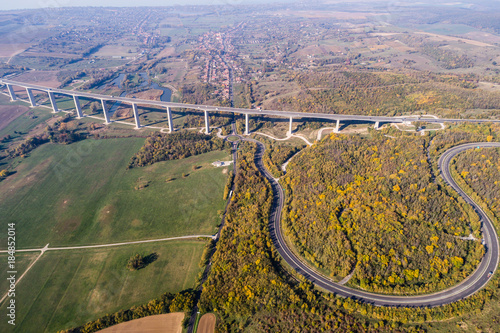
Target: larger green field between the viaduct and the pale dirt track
83	194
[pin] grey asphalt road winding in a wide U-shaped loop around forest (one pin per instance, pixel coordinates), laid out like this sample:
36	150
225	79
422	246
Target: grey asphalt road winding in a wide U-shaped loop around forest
466	288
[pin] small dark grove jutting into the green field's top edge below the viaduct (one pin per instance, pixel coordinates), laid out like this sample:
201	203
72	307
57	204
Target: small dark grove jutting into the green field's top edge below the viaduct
162	147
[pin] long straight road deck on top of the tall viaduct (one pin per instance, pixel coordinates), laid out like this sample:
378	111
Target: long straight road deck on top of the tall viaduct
239	110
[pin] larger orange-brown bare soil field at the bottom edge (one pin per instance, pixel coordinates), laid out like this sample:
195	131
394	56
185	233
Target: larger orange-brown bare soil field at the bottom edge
165	323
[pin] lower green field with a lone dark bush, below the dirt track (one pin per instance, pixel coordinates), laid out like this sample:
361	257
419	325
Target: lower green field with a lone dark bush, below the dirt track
65	289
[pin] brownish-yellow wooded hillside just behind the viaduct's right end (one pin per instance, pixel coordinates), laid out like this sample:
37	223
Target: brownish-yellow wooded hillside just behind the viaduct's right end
387	94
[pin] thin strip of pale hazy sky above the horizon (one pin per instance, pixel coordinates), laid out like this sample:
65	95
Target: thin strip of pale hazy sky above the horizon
20	4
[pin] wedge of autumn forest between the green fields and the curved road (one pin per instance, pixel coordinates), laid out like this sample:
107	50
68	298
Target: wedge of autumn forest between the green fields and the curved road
248	289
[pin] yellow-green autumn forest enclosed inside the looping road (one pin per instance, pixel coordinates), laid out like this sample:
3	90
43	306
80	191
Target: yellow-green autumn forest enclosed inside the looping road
373	202
